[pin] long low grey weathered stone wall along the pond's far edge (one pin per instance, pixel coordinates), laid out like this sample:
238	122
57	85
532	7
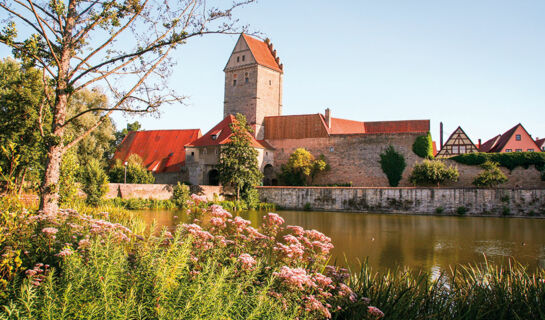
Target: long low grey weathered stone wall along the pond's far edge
410	200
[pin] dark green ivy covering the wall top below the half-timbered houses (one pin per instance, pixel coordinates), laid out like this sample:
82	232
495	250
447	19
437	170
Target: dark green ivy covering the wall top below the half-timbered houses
509	160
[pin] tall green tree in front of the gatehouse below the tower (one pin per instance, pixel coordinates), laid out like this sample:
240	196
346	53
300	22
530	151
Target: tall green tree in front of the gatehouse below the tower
238	166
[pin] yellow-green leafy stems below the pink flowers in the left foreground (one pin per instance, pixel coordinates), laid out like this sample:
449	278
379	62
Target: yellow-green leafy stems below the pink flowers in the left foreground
151	282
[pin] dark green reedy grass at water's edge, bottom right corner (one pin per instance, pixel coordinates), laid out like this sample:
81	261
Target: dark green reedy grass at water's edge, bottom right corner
467	292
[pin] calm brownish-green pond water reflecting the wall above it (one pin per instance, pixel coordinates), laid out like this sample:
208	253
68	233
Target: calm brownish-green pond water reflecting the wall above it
422	242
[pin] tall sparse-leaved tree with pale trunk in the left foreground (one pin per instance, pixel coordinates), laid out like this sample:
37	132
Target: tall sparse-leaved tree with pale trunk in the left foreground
76	44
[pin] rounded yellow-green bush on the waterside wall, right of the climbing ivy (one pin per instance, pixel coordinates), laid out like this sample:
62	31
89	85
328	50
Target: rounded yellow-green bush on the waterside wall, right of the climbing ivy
432	172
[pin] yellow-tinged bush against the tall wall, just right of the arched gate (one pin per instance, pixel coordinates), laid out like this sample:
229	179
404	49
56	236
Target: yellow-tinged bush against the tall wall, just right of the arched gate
302	167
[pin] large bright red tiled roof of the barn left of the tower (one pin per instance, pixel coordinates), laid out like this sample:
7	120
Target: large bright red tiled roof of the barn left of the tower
160	150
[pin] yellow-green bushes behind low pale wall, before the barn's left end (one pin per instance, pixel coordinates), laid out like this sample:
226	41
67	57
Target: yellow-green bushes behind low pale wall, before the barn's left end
136	172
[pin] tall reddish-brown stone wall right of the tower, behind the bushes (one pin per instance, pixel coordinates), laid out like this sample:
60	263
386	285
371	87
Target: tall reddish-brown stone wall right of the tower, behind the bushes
352	157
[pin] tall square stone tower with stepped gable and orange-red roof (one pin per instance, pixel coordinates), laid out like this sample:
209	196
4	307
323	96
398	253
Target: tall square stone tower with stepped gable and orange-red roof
253	82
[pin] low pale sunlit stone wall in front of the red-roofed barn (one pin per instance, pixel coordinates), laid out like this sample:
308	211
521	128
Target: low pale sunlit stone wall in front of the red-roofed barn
157	191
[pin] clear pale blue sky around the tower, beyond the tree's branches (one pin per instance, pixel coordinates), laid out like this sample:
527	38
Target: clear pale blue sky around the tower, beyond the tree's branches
478	64
